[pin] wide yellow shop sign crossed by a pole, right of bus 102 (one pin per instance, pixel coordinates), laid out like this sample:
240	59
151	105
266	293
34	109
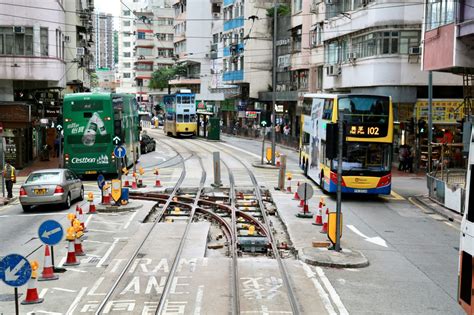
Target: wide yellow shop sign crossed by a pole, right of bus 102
447	111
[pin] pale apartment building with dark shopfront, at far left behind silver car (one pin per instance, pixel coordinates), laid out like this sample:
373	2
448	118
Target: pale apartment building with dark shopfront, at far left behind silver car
39	61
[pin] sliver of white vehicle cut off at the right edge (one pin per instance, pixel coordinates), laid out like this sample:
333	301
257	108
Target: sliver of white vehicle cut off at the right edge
466	263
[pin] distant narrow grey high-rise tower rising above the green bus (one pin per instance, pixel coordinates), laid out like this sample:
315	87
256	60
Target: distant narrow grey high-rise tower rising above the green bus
104	41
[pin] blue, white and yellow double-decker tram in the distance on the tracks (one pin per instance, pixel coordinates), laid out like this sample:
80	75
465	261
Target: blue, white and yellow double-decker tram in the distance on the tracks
180	113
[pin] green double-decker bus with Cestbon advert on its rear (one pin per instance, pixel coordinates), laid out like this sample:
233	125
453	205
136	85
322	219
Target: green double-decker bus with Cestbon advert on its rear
91	122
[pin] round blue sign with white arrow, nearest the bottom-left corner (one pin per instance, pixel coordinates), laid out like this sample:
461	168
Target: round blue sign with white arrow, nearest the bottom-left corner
15	270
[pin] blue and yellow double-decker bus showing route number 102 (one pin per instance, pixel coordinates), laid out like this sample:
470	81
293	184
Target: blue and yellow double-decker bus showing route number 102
367	158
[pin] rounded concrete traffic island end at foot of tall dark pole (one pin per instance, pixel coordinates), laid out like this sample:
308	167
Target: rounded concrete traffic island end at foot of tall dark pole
324	257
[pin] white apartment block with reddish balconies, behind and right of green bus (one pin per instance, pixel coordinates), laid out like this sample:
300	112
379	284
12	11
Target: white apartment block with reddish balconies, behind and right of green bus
145	45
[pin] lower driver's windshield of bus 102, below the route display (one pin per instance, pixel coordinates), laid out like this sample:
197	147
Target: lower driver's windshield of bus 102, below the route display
366	156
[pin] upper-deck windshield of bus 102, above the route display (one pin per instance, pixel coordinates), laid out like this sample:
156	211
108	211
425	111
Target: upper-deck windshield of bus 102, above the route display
365	109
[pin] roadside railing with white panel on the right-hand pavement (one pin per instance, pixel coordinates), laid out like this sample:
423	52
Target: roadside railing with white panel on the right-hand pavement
447	188
